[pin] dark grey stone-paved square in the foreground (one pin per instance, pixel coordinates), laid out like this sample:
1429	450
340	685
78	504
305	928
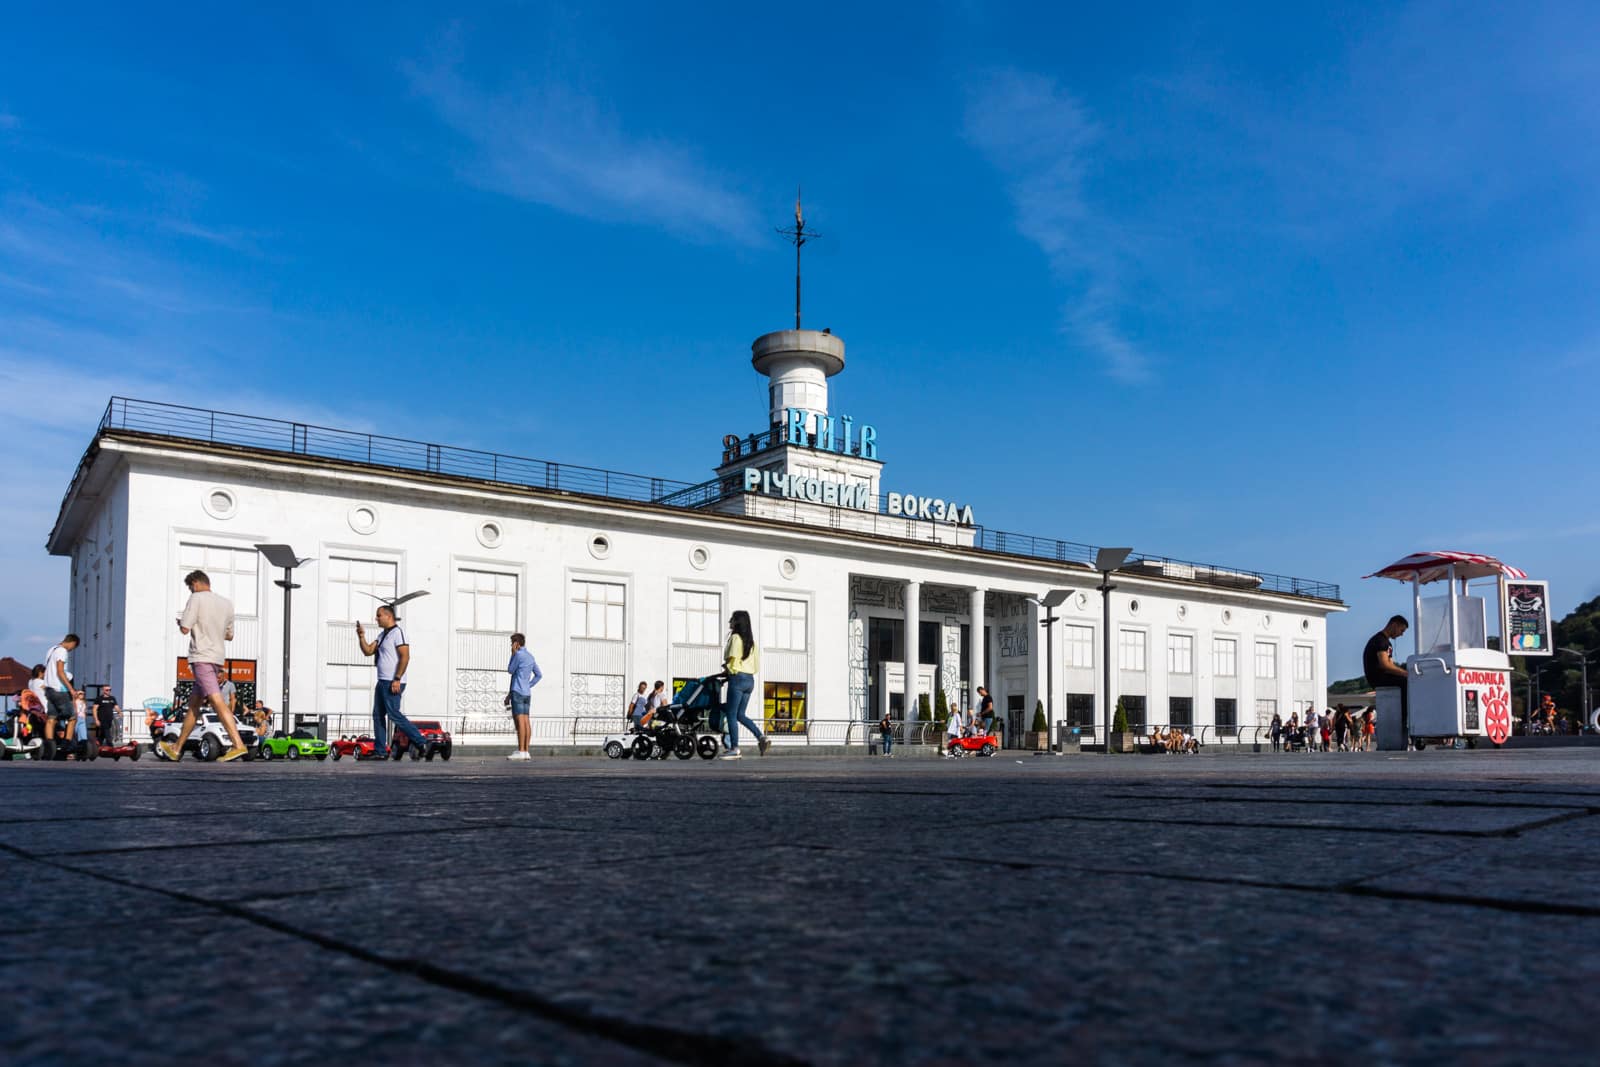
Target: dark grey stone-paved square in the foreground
1370	909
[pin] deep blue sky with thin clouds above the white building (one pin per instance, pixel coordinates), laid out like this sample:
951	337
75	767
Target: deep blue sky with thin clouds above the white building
1289	287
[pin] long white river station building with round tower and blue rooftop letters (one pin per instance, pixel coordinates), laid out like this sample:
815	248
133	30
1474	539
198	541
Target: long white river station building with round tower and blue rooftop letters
622	578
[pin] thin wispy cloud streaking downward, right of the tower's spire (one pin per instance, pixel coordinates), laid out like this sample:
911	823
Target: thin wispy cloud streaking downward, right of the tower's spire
1041	140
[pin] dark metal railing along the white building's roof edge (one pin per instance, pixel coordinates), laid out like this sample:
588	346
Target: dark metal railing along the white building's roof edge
302	439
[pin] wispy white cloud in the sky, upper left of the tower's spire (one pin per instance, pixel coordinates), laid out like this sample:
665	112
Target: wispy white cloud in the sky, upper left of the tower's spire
562	148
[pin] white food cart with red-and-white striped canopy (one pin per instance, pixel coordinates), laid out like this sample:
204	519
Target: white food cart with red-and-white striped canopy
1457	684
